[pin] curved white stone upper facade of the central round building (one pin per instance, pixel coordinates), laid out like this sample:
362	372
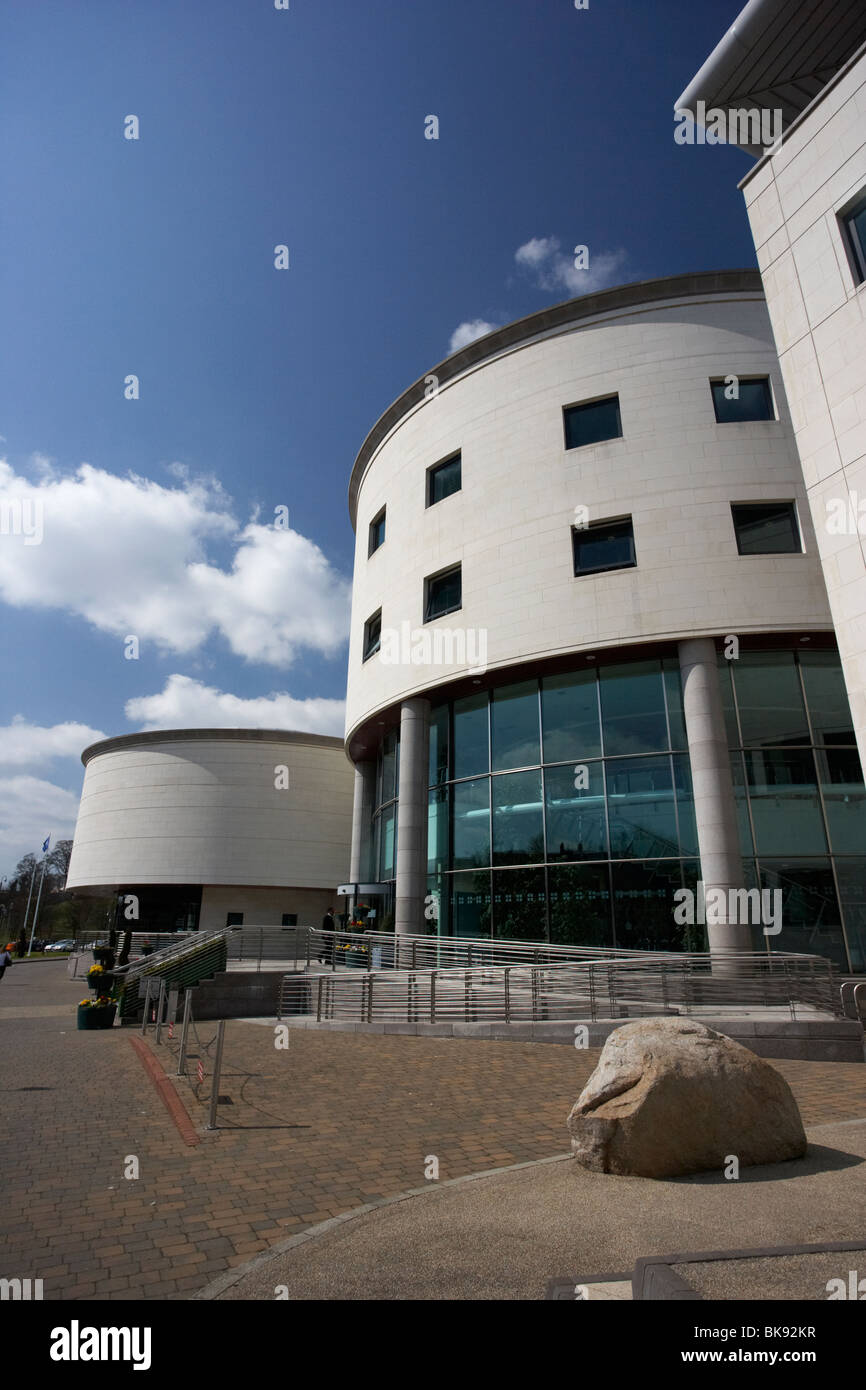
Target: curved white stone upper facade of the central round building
675	471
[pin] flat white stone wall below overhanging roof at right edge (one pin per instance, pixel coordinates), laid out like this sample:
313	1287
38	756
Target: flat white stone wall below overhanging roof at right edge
796	198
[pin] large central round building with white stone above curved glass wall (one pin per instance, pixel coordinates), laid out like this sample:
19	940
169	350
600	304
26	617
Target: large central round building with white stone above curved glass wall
593	661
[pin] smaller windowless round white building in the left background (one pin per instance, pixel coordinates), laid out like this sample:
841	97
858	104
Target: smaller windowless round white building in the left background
215	828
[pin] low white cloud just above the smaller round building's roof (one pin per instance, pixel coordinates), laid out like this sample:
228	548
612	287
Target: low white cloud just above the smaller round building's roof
187	704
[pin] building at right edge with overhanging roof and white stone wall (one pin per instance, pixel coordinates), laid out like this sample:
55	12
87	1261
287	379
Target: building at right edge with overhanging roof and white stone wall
807	205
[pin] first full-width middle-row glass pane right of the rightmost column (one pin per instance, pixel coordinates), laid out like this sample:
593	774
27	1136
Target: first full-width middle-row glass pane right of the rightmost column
783	796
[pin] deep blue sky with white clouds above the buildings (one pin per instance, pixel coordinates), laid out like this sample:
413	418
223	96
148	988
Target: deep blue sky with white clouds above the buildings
262	127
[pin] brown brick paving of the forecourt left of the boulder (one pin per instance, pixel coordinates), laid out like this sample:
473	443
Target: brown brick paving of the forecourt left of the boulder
329	1124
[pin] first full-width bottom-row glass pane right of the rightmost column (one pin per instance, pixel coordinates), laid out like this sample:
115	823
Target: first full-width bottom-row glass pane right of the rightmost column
810	907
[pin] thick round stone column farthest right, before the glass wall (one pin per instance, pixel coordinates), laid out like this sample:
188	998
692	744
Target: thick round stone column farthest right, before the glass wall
715	806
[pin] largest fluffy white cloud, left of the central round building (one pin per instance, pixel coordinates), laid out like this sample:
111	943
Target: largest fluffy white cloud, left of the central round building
133	558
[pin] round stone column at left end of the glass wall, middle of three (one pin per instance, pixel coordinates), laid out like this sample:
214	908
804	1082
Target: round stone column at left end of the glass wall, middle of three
412	818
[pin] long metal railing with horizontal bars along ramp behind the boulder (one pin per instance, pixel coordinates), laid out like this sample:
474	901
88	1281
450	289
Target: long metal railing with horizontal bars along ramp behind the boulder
586	990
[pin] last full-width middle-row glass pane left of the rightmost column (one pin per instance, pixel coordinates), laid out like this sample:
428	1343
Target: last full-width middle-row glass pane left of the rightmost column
642	808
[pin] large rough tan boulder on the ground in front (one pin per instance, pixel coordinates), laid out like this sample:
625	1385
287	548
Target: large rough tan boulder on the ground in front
672	1097
